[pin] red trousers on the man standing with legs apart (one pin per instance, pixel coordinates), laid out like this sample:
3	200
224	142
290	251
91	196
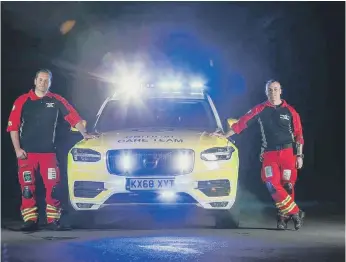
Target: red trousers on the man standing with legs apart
46	164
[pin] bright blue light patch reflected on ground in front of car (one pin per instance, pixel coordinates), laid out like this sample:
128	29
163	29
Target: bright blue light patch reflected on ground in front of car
144	249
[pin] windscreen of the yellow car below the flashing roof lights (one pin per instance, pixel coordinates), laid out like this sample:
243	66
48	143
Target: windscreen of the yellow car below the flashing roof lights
157	113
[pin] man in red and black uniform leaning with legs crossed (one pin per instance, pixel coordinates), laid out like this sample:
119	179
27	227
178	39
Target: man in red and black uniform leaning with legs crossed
281	131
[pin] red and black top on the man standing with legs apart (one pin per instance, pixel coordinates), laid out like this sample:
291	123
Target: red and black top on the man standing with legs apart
36	118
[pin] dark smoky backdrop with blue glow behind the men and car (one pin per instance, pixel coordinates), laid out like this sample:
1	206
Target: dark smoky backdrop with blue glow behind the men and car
301	44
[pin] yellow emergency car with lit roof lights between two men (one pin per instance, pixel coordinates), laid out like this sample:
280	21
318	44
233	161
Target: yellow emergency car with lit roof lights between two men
154	148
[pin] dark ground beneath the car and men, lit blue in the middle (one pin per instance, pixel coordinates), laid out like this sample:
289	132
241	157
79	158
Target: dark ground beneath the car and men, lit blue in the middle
142	238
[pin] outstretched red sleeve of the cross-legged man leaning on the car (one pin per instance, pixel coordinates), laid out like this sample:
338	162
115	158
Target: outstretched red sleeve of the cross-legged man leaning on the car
246	120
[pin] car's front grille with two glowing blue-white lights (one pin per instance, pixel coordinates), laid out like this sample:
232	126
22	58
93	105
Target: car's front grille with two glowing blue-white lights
153	162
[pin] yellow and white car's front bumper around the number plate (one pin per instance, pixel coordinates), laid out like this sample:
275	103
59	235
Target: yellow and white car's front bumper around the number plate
215	191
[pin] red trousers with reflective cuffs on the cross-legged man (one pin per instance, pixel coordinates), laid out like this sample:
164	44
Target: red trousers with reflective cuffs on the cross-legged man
279	173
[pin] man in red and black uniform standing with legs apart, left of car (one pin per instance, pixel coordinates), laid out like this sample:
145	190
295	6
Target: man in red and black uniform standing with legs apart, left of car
32	126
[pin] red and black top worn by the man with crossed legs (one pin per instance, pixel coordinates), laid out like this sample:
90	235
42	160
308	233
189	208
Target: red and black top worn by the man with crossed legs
279	125
